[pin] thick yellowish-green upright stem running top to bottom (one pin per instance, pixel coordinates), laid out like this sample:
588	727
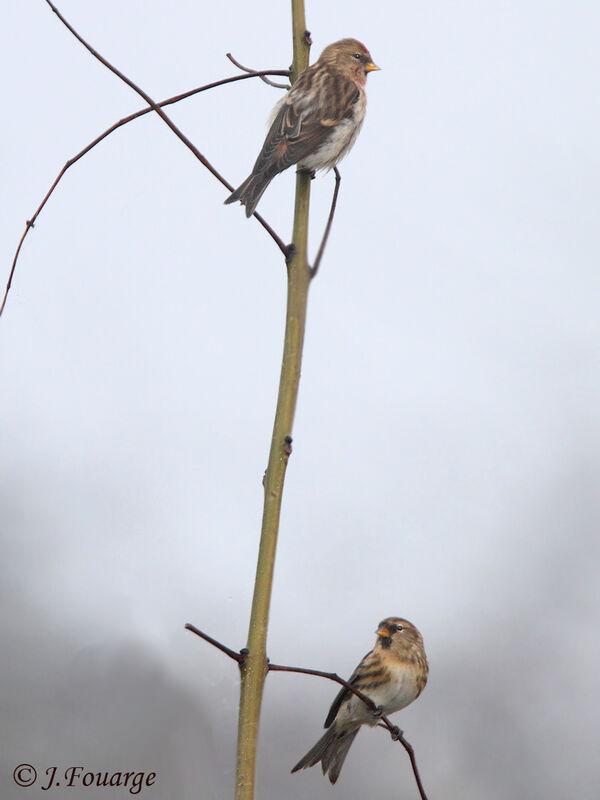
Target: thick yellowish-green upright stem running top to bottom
254	669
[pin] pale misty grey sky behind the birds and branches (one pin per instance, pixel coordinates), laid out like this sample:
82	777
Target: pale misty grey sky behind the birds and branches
446	443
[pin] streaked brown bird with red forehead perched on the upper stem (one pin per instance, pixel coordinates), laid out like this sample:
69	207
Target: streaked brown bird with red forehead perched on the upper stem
317	122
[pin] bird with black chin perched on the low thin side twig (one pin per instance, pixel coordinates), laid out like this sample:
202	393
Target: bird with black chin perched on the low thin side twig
392	675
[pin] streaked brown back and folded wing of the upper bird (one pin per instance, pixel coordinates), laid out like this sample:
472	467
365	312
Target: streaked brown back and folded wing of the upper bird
304	121
